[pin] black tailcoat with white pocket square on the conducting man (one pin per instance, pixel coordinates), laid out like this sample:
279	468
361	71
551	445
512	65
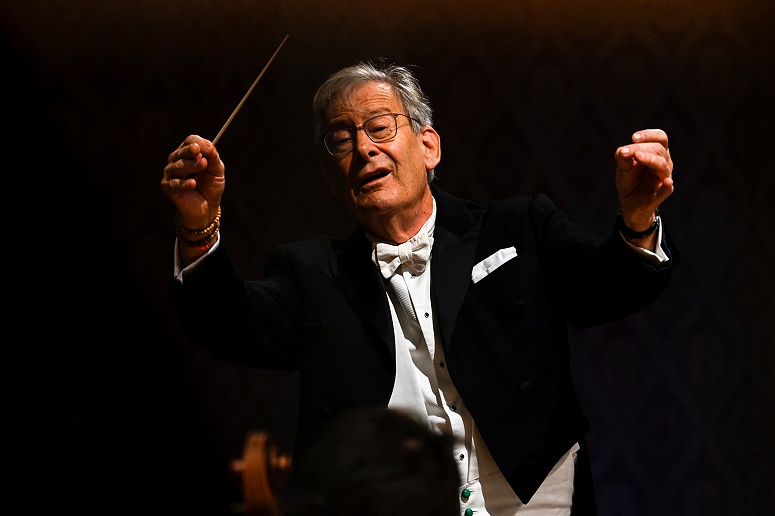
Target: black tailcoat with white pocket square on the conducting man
321	309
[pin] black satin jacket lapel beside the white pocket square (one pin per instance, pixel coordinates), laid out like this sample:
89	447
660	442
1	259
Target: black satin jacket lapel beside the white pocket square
454	247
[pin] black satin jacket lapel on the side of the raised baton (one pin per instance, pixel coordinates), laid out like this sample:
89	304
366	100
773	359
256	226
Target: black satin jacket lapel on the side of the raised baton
364	289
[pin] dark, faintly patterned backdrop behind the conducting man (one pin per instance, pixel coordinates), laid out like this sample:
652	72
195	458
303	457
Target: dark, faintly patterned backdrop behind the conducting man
533	96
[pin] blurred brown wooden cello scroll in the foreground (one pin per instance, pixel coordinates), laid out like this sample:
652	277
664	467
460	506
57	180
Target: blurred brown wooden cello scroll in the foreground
263	471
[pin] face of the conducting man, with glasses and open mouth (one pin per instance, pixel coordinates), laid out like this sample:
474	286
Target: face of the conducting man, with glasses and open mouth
376	164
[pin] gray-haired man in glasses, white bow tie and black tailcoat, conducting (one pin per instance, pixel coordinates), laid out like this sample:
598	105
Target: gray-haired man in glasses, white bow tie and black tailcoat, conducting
451	312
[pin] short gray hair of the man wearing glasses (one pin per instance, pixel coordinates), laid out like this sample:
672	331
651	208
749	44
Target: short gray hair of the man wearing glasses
338	88
